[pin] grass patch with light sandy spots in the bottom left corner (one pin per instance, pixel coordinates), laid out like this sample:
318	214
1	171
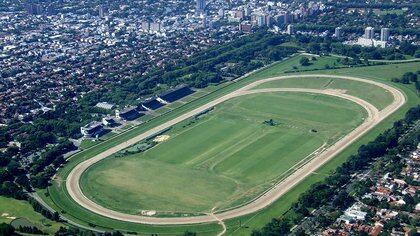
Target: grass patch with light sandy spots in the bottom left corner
24	214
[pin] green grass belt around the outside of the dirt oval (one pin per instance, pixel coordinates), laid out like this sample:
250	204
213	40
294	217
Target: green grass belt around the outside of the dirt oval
59	199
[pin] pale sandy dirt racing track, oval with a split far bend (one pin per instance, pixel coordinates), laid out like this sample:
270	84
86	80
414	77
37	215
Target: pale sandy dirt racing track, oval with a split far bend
271	195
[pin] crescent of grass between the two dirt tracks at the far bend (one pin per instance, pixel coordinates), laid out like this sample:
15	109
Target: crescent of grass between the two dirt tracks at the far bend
373	94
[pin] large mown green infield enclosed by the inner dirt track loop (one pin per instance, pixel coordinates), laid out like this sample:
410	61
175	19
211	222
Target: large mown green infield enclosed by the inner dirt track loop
226	157
